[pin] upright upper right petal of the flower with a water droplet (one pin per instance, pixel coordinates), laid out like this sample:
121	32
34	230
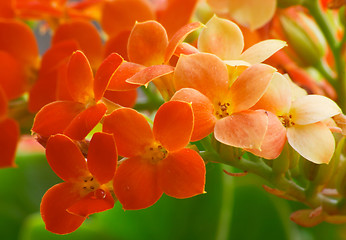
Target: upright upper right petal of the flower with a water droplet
102	157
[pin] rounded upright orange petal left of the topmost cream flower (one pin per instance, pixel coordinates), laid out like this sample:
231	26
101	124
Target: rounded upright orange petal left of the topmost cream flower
147	43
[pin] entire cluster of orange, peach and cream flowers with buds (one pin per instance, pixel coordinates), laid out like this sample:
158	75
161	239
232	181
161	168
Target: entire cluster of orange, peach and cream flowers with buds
232	86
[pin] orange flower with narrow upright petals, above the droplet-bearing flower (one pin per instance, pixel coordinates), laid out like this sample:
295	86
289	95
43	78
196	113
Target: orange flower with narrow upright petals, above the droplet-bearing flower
78	117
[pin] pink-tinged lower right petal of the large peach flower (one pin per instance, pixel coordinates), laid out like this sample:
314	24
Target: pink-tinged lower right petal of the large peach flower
243	130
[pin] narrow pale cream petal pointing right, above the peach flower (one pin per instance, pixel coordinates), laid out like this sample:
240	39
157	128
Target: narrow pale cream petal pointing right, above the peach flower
261	51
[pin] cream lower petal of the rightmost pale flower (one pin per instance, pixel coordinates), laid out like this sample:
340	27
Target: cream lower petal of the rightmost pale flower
315	142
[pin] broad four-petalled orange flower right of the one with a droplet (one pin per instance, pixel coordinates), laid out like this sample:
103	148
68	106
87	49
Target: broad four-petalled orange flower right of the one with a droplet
157	160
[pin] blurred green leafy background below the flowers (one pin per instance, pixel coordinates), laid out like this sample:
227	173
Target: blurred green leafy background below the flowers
233	208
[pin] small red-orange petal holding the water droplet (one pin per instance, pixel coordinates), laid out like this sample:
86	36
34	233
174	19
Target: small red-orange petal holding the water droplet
97	201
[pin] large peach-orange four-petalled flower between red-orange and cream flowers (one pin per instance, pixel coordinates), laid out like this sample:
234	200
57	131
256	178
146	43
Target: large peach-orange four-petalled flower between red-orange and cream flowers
221	105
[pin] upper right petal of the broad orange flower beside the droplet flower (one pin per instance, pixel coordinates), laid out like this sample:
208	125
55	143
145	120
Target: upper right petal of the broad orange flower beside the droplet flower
173	125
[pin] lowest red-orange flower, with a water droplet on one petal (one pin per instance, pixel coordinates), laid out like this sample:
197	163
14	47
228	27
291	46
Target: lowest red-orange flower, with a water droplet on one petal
85	191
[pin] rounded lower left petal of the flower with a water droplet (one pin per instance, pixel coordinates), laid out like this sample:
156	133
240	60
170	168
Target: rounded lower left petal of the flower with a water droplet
53	209
